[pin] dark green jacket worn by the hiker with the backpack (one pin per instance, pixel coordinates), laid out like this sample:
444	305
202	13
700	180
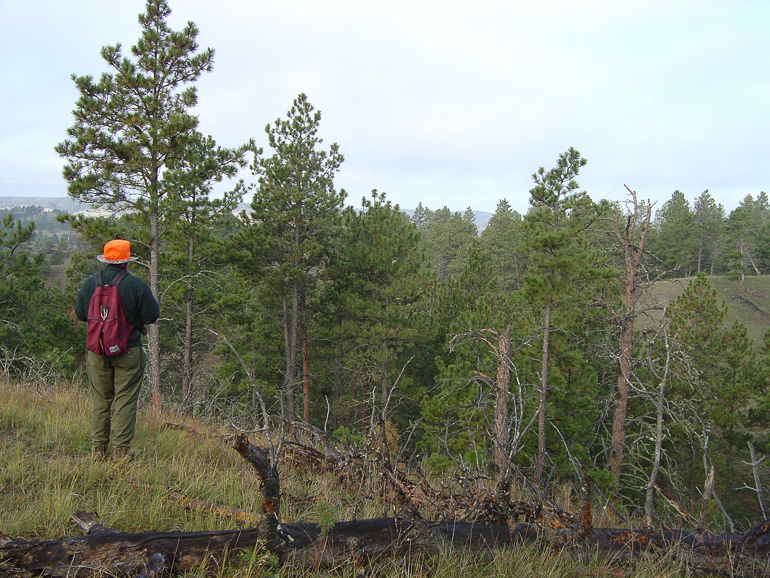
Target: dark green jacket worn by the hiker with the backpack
139	304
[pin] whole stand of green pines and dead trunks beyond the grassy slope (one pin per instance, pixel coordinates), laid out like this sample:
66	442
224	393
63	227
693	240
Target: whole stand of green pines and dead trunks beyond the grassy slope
533	350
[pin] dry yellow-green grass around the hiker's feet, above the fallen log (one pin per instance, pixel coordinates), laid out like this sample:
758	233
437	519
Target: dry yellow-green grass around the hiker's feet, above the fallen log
47	472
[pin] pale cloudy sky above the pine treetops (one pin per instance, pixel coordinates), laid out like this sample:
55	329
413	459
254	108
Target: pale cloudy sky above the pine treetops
446	103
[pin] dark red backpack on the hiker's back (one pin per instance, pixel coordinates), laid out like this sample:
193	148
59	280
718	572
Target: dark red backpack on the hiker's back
107	329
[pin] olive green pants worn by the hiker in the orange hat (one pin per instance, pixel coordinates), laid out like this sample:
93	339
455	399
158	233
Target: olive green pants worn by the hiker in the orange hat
114	380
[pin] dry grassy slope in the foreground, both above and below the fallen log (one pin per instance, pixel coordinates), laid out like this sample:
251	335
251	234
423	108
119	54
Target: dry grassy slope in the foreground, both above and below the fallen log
47	474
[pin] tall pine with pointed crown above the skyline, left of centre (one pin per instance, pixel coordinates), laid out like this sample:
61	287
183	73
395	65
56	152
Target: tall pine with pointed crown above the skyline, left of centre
295	215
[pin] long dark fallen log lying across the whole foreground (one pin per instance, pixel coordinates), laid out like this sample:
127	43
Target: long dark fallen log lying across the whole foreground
307	545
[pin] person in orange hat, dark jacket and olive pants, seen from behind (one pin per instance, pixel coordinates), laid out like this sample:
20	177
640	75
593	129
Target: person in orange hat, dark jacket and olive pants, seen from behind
117	379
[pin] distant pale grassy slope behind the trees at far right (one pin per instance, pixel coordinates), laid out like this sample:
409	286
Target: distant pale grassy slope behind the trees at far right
749	304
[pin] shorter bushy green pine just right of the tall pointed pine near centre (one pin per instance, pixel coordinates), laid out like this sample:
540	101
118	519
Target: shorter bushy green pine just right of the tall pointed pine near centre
373	300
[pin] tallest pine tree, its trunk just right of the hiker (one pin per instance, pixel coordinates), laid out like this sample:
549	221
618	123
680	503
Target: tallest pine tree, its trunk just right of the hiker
132	126
